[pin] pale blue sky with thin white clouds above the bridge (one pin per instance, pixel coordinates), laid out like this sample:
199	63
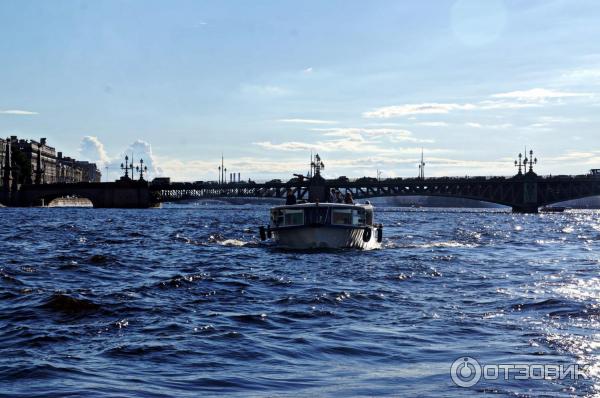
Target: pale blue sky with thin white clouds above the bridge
367	85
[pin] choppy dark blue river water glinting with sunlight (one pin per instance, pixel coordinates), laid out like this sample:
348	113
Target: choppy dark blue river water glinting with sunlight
183	301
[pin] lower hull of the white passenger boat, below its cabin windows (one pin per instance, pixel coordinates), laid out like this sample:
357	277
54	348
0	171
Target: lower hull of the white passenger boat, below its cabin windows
324	237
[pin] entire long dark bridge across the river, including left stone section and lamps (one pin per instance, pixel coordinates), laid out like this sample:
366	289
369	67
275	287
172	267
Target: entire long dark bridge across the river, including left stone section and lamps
525	192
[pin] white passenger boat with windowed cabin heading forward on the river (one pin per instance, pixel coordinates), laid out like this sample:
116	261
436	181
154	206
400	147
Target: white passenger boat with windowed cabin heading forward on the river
323	226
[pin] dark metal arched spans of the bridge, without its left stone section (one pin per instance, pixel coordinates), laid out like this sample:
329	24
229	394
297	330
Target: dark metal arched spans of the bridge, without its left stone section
524	193
